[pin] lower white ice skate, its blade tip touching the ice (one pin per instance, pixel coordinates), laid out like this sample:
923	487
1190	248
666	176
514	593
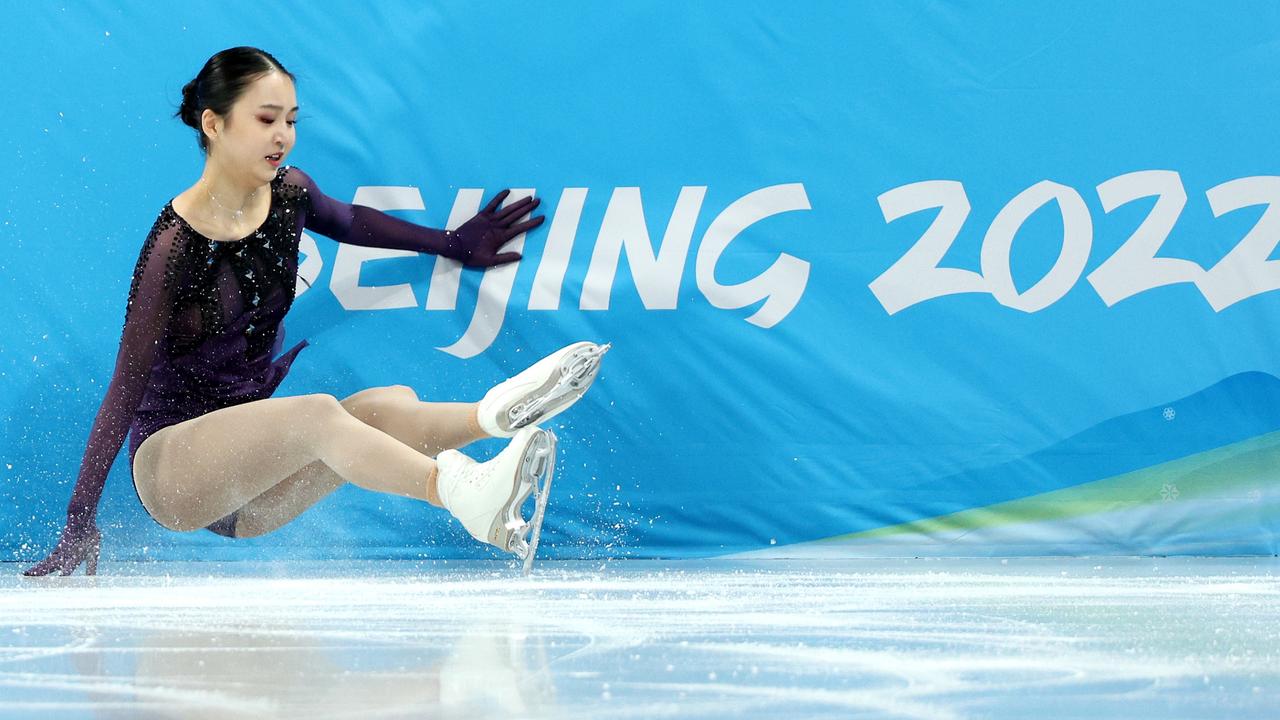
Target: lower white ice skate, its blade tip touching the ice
487	498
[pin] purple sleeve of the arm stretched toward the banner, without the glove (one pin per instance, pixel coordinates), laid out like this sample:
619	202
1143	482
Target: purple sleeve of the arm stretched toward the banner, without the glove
359	225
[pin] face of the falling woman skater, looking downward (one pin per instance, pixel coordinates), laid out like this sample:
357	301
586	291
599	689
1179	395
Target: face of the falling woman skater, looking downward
260	124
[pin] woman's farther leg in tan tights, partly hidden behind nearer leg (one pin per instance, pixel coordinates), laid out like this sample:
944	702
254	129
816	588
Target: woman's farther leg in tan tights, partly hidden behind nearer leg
397	412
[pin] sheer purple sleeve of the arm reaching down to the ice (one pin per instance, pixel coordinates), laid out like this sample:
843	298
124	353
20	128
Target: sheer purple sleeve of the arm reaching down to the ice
147	318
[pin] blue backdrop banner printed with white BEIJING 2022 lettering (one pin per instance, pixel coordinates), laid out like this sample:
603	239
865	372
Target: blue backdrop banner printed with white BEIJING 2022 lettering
893	279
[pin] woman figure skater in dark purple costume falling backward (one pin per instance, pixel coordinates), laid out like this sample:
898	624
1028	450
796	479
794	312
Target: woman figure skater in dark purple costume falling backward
195	373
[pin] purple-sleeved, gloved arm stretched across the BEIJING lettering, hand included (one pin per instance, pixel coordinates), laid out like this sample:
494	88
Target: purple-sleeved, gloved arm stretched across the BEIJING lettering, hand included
476	243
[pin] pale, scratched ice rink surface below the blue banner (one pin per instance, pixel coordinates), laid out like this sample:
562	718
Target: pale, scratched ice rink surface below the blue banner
778	639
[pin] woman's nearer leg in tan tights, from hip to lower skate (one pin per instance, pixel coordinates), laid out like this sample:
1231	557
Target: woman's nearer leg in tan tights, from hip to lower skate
198	472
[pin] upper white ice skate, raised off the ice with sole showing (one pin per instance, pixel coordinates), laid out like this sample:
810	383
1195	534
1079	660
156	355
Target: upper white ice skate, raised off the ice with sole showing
542	391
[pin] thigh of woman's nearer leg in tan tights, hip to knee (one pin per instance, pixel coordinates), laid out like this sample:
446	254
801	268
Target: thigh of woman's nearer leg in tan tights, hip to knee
211	466
